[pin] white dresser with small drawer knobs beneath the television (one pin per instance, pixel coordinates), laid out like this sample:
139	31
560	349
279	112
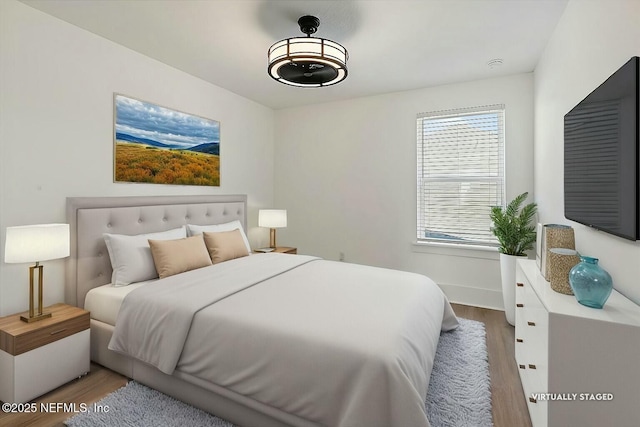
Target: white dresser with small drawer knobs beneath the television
576	354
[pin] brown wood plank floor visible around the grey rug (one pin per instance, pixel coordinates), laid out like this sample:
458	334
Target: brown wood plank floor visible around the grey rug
509	406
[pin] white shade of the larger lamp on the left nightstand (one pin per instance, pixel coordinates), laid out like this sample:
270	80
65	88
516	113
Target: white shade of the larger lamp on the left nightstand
35	243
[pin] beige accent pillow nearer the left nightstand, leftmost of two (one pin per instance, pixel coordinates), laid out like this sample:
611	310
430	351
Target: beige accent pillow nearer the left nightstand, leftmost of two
177	256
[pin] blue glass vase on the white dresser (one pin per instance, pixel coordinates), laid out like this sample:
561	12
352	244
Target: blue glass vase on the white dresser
590	283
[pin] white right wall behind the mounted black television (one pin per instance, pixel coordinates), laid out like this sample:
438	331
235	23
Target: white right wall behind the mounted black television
592	40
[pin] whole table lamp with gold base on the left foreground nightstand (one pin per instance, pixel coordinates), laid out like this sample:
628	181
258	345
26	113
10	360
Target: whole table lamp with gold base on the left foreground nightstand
36	243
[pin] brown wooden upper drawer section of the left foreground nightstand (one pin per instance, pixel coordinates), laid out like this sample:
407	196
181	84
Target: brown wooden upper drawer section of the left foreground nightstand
17	337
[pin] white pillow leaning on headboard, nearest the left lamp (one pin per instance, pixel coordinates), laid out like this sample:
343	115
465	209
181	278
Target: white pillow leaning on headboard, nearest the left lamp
131	257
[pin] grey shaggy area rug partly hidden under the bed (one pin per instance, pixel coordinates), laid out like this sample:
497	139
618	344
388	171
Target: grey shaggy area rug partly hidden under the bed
459	392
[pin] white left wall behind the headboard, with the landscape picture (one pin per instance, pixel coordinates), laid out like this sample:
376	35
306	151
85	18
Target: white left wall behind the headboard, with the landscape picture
56	125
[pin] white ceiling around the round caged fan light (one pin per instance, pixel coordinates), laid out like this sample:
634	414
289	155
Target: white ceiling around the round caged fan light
393	45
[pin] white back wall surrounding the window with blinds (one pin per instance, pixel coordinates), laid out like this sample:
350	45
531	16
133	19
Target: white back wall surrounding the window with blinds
346	172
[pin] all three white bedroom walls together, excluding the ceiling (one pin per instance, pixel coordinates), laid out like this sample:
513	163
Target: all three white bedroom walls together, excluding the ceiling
344	170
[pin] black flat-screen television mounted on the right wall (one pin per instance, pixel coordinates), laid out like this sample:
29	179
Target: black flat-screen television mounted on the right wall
602	156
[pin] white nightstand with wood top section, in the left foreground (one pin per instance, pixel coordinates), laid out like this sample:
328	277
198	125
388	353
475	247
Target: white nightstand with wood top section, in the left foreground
37	357
